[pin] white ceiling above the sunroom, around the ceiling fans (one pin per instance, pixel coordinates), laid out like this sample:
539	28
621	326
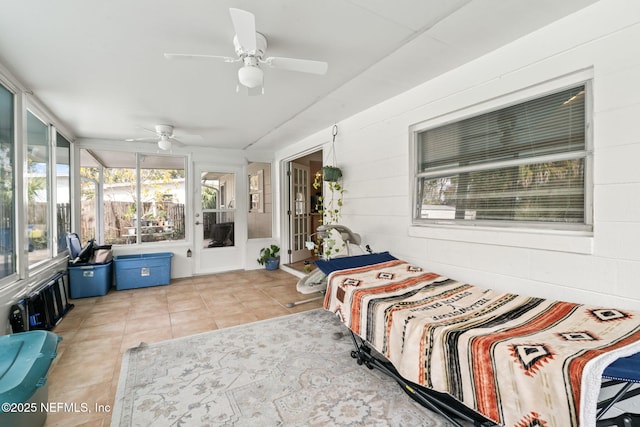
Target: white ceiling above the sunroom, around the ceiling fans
98	65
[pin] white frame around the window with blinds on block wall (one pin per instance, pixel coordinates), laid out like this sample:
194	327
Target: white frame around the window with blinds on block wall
488	106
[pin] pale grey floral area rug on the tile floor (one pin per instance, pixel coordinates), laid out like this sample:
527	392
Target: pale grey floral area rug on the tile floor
294	370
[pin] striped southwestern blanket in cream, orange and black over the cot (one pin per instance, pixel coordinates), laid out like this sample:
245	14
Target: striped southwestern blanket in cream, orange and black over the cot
519	361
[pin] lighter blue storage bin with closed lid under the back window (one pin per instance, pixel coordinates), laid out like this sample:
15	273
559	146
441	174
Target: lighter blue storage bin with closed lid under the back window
142	270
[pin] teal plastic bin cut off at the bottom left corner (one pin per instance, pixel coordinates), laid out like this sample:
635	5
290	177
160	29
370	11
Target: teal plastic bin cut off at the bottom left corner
25	359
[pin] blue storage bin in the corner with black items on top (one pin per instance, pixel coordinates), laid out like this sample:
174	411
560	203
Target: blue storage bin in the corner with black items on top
90	280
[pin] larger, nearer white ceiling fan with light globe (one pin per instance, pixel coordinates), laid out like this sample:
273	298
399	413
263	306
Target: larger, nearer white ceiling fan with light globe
250	47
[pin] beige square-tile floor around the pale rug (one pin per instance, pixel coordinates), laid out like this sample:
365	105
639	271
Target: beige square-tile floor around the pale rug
97	331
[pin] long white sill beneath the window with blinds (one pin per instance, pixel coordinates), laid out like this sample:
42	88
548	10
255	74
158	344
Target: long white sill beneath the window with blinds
550	240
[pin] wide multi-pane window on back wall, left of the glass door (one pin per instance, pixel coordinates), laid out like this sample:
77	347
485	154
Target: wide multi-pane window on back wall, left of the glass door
129	198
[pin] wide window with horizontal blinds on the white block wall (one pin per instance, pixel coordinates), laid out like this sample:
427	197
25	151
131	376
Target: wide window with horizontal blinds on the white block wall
523	165
